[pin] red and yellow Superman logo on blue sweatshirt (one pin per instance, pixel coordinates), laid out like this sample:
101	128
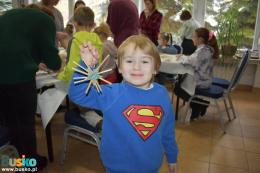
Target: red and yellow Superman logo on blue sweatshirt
144	119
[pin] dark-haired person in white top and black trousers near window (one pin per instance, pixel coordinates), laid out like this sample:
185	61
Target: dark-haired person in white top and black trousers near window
189	25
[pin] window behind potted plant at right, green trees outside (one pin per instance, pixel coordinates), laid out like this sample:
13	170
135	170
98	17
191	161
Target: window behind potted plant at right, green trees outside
242	11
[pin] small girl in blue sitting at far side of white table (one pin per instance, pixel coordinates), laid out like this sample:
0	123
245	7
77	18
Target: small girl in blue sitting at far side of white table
165	43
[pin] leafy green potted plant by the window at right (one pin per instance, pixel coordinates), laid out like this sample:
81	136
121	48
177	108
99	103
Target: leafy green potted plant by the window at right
229	32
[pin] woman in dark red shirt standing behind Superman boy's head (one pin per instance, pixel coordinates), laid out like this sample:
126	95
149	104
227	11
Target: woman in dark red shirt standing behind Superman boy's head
150	21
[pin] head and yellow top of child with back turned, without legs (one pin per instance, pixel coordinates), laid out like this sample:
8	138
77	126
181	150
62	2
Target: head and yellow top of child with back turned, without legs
84	23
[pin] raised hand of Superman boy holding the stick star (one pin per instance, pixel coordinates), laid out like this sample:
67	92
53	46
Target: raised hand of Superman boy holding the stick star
89	54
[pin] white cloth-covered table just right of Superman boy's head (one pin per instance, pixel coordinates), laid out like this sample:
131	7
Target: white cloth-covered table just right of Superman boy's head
172	65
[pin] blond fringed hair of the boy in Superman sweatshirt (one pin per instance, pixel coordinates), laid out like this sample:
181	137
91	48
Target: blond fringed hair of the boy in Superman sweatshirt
143	43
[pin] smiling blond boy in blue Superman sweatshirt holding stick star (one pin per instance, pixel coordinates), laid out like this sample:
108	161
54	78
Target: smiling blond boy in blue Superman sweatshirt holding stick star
138	118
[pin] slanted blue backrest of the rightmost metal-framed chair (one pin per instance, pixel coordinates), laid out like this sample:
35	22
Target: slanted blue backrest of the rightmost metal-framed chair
239	71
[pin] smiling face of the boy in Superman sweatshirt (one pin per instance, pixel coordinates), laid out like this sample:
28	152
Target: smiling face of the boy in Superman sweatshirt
137	68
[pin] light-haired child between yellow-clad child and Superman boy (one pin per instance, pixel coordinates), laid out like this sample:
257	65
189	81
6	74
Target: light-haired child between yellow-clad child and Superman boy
110	49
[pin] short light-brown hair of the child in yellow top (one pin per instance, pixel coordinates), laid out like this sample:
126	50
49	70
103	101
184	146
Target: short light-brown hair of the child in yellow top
84	16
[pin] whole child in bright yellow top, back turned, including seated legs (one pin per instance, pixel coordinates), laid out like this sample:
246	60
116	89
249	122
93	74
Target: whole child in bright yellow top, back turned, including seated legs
84	24
